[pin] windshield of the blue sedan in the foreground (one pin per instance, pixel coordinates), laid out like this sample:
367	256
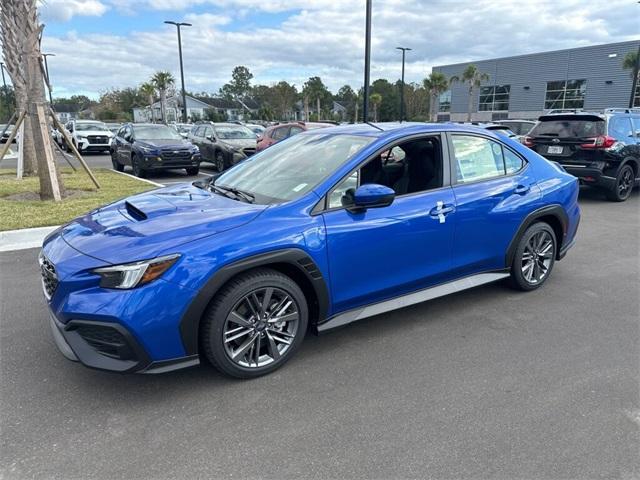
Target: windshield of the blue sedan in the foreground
290	168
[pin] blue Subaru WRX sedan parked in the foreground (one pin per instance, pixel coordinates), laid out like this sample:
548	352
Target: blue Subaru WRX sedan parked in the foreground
325	228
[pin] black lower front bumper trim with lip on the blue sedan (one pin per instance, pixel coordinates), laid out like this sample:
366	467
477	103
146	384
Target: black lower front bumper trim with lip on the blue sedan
110	347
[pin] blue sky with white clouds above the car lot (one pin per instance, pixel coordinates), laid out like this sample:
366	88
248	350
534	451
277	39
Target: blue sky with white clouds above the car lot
102	44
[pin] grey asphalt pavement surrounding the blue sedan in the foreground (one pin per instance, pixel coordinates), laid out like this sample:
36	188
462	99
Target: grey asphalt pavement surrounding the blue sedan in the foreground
488	383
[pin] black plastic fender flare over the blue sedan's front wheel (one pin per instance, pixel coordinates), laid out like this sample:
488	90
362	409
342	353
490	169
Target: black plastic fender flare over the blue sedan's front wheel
292	257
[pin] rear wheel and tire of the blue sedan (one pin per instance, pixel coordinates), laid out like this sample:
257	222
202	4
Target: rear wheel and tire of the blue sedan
534	257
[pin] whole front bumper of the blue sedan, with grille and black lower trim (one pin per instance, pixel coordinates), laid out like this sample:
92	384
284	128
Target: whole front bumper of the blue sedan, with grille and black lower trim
122	331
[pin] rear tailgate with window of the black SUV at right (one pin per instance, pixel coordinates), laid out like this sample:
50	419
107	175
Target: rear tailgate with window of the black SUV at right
561	138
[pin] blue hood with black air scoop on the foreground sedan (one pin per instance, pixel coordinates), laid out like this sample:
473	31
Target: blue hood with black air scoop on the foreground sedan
145	225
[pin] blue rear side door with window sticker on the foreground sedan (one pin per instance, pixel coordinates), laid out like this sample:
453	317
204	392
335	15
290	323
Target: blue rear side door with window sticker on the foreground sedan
494	190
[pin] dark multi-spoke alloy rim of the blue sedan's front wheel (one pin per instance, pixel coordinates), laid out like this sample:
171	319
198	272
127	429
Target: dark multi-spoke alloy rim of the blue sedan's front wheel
261	327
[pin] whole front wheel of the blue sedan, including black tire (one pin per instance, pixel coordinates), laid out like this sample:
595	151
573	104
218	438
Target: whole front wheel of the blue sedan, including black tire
230	312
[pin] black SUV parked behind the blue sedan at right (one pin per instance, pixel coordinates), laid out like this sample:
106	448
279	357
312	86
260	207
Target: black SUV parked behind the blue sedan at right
601	149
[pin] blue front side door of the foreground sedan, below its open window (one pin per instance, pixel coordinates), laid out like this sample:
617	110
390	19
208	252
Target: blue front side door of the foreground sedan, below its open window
386	252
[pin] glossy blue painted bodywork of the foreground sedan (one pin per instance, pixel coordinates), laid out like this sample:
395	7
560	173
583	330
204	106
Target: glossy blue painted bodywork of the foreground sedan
419	240
